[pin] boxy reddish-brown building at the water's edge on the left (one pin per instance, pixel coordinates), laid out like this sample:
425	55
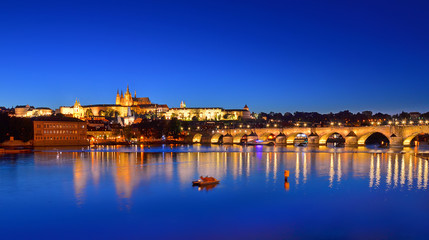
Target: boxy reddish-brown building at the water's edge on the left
59	131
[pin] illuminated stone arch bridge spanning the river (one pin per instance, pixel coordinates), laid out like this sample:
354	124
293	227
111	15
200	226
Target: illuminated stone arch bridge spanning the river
397	135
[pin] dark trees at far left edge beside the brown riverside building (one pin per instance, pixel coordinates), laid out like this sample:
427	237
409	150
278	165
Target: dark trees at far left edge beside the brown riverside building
19	128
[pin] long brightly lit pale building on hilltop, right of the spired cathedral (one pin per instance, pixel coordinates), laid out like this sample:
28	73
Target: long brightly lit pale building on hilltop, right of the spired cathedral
207	114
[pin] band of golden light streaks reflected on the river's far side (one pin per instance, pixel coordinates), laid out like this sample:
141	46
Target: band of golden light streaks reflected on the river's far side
129	171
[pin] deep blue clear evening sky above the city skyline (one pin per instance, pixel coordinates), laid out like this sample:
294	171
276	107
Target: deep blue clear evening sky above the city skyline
281	56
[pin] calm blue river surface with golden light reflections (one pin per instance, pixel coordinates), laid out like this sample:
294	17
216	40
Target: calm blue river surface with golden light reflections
146	193
